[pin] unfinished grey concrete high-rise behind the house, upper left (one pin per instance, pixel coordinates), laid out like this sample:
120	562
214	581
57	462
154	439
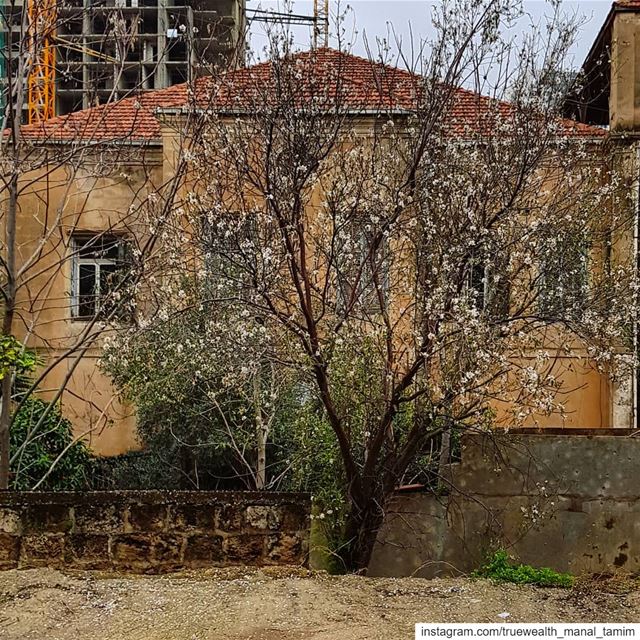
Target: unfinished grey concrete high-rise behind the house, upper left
106	49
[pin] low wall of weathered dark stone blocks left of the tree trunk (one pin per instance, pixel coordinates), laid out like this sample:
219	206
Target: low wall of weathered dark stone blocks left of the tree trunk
152	531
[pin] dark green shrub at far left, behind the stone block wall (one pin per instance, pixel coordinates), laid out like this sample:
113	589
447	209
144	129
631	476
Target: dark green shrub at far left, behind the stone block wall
44	444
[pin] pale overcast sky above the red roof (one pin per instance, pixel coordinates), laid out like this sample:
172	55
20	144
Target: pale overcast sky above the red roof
371	19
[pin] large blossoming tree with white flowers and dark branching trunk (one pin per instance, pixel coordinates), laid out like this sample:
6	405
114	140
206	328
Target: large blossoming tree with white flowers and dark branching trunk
424	254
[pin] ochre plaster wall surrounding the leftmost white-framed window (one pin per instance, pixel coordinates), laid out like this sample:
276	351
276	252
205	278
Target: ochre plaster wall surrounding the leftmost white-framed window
56	201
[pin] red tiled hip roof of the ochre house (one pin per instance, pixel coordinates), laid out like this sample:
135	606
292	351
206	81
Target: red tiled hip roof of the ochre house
322	78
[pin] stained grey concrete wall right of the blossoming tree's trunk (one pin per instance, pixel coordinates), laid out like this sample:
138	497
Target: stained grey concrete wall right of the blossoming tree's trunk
570	502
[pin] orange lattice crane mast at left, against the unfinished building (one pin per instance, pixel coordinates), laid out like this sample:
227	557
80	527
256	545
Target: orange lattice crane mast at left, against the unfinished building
41	81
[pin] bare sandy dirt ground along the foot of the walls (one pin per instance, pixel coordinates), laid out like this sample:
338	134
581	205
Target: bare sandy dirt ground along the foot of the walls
244	604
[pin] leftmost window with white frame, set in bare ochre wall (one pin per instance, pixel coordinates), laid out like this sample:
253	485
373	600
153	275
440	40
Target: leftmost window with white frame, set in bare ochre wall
100	265
